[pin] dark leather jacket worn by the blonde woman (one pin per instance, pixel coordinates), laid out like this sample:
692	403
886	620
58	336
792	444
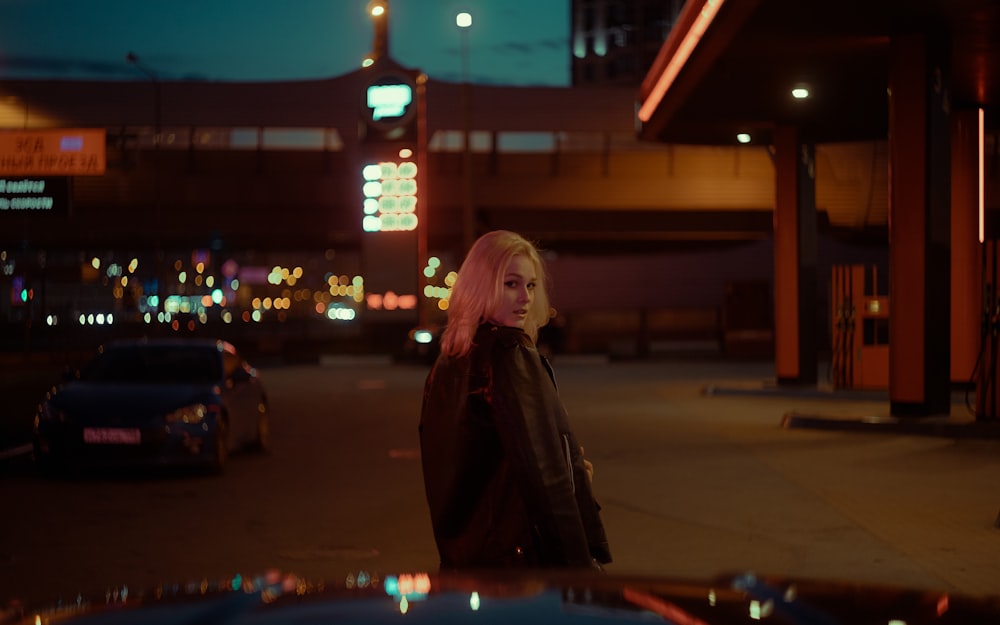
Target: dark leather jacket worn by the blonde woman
503	472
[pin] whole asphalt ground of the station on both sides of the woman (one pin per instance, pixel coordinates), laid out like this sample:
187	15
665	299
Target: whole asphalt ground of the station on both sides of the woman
691	486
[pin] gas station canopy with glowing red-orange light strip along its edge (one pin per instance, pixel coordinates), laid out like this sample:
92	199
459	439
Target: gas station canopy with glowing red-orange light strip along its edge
738	76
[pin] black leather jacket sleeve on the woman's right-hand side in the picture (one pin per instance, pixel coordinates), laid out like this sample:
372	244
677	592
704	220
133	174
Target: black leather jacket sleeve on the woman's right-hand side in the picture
527	412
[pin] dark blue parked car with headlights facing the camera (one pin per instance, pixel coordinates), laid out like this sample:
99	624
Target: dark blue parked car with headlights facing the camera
153	402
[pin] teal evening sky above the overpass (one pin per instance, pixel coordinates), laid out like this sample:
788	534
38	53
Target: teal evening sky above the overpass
511	42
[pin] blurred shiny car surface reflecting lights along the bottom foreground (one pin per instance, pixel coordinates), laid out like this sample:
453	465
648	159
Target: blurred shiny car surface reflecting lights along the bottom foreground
530	597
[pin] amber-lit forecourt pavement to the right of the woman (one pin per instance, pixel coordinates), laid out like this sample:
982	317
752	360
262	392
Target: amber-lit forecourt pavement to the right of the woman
726	472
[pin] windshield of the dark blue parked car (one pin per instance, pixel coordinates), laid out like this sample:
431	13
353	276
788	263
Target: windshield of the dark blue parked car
158	364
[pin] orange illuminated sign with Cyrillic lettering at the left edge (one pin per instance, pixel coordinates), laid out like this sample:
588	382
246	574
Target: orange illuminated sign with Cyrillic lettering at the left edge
53	152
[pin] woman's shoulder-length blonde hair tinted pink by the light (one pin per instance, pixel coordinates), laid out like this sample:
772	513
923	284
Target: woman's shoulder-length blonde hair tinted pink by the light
478	290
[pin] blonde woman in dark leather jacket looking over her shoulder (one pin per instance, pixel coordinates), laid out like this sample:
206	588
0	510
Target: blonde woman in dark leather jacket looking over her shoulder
506	481
